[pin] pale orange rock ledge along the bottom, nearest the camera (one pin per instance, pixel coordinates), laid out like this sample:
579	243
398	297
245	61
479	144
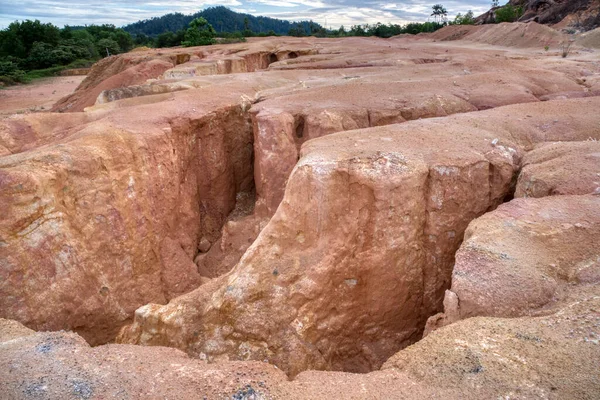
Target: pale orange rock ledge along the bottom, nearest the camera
551	356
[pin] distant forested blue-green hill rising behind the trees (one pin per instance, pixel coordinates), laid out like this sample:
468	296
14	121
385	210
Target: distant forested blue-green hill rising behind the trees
221	18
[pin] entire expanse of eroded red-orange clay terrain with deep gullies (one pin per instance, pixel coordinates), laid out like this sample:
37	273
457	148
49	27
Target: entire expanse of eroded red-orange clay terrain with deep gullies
416	217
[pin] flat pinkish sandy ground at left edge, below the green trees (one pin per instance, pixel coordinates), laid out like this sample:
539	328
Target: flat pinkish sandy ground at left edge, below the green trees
39	95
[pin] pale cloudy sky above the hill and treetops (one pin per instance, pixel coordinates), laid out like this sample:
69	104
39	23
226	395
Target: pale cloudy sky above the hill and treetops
333	13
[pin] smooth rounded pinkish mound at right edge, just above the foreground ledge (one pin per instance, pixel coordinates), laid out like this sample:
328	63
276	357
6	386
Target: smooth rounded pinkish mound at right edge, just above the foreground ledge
525	258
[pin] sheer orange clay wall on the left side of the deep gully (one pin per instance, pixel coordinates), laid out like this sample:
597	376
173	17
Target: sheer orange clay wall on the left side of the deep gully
110	218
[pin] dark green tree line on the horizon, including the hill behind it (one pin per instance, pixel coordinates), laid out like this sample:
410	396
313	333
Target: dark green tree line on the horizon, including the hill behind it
30	49
